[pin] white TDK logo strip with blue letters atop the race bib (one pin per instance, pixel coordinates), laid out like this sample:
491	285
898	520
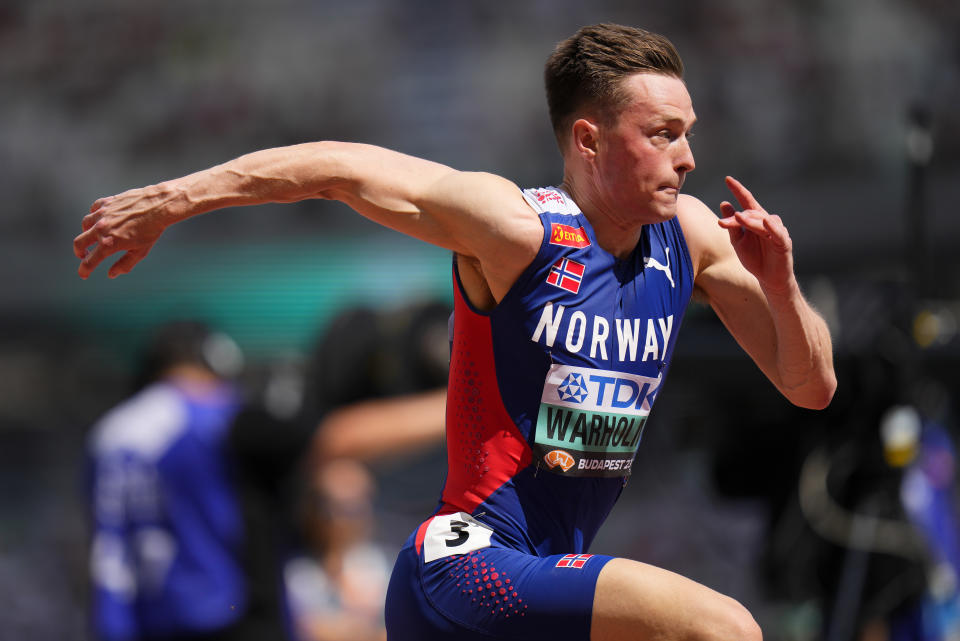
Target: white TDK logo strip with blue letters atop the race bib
600	390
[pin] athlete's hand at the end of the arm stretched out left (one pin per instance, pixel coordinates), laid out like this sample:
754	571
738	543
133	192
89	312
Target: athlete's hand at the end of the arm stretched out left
130	222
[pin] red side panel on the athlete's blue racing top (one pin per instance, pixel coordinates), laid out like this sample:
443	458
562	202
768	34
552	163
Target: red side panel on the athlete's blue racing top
484	447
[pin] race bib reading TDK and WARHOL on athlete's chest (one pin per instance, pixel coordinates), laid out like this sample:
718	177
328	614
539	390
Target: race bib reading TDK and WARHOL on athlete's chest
590	420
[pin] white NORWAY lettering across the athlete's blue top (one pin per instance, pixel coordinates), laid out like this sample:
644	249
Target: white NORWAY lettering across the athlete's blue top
628	334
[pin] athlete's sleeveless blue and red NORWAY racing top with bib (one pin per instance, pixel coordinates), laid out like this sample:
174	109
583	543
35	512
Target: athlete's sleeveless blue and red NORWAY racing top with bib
549	391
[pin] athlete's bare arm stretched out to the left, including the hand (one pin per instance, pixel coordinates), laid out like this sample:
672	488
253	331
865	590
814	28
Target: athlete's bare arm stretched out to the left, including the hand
474	214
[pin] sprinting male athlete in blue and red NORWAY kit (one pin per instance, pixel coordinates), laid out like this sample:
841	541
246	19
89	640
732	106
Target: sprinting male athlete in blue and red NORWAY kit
568	301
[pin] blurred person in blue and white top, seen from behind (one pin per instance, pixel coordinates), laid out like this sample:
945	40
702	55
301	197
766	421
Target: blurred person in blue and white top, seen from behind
167	525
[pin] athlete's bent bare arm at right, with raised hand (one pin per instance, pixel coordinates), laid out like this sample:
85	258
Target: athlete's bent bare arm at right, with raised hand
746	275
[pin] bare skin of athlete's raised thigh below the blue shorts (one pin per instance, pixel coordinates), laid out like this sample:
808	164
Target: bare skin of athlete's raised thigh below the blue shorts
638	601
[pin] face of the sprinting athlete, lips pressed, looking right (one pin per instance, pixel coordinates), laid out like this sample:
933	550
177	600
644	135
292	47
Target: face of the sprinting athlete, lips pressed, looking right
644	154
